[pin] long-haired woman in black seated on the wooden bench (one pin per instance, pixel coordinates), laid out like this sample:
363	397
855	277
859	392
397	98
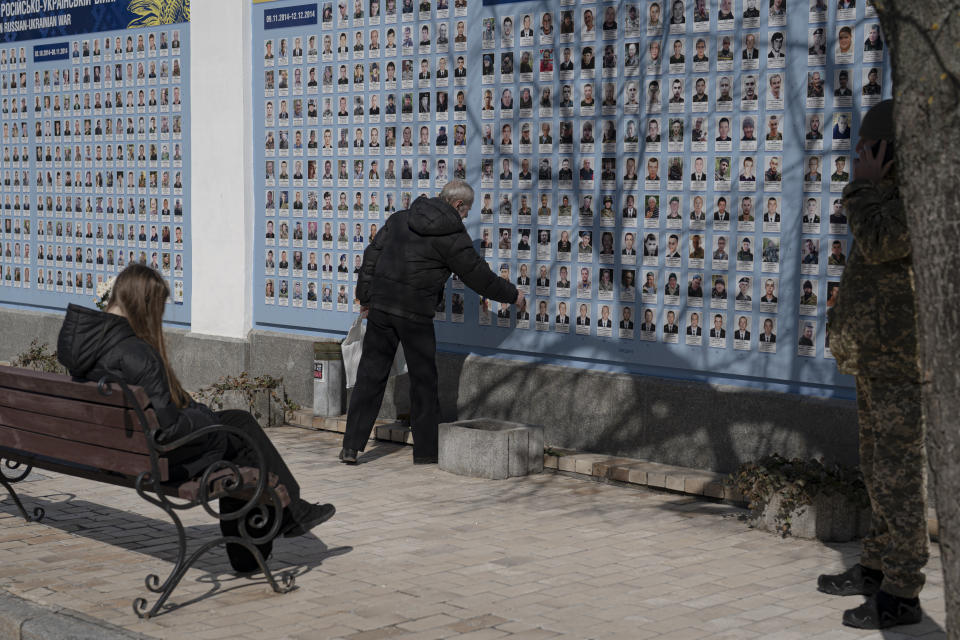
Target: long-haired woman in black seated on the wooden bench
127	341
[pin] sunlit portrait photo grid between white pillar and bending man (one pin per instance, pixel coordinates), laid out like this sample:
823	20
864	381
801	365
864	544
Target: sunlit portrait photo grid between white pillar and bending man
361	112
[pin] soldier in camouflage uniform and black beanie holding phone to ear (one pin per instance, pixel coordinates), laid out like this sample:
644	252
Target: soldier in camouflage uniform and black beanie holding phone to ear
873	335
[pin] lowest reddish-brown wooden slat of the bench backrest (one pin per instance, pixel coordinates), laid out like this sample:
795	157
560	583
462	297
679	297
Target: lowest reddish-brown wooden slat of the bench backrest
79	453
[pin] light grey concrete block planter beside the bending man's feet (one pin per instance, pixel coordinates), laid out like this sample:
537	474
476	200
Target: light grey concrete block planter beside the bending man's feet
491	449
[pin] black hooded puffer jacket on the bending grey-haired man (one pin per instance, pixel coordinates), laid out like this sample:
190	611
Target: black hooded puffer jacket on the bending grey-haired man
409	260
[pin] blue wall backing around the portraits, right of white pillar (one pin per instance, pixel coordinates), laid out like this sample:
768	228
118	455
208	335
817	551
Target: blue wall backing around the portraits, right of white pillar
778	248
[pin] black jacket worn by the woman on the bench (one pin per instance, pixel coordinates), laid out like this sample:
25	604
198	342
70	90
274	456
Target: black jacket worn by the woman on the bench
93	343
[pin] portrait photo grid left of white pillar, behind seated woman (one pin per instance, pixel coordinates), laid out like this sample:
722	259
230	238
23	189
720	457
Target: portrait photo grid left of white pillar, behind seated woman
93	156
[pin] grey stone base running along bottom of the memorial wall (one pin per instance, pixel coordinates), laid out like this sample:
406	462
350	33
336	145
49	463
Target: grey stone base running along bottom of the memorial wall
689	424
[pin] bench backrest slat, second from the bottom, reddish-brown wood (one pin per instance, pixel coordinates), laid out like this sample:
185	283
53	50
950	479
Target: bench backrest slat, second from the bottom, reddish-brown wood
74	431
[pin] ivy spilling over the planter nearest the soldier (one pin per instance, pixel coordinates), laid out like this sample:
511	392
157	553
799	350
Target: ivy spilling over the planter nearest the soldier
797	482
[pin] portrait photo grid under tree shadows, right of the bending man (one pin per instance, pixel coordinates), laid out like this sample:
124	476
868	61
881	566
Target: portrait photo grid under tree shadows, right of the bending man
658	165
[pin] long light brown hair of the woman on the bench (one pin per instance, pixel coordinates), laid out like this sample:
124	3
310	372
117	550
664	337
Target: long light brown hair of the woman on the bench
141	293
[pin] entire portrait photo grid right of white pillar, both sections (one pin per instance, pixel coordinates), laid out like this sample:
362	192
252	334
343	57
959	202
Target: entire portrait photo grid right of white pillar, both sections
638	165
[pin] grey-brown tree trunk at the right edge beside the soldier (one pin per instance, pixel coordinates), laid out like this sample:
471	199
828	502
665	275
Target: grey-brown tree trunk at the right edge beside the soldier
924	43
